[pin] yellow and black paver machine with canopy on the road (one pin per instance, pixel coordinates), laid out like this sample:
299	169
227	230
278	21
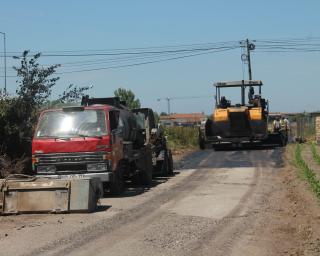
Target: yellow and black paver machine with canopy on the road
239	124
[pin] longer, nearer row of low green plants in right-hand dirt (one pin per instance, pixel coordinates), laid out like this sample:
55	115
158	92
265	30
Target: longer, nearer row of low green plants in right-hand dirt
307	173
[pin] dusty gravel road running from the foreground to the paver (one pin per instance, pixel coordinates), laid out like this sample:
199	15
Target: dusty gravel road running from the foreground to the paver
218	203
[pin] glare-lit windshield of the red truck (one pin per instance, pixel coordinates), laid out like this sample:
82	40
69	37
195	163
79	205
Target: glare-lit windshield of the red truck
57	124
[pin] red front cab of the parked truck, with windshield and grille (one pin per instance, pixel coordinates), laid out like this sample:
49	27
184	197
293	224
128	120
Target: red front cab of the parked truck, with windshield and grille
76	140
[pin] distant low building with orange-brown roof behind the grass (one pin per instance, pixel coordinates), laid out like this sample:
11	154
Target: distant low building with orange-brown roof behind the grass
191	119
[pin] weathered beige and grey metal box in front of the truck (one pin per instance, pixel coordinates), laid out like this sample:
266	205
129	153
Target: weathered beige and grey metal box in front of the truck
49	195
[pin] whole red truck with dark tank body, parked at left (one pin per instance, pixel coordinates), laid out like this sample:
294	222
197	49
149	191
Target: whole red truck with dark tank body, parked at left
101	138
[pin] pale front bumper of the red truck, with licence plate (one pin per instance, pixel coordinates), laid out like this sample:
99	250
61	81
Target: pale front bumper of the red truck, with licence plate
104	177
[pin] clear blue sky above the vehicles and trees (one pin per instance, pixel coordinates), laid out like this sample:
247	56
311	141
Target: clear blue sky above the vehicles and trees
290	79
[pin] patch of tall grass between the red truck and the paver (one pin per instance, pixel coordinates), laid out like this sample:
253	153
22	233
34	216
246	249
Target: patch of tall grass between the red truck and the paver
181	137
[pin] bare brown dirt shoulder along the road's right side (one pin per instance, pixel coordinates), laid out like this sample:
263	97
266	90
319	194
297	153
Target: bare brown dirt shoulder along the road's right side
289	224
